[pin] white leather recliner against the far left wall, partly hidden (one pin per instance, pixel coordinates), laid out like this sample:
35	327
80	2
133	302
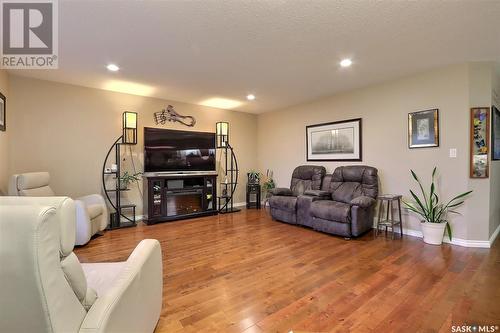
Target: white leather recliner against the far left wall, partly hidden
91	210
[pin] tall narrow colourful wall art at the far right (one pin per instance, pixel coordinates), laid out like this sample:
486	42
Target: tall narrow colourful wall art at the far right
479	147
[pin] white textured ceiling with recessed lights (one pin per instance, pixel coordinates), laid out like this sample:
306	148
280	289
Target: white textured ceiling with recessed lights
284	52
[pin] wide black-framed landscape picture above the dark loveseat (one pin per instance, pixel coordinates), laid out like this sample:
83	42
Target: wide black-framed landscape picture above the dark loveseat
335	141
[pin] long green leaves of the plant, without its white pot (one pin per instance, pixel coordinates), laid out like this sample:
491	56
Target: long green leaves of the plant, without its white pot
429	208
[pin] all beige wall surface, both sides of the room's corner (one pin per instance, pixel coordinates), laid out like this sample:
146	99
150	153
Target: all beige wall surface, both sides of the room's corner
67	130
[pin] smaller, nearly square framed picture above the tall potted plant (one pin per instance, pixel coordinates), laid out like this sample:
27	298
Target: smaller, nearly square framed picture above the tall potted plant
423	129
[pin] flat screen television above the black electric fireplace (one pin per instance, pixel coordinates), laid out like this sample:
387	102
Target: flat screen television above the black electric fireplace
178	151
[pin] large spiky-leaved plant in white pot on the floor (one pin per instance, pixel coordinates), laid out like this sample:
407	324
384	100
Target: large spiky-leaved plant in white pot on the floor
433	212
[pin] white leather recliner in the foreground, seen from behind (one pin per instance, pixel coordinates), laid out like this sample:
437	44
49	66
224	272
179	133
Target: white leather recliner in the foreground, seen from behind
46	289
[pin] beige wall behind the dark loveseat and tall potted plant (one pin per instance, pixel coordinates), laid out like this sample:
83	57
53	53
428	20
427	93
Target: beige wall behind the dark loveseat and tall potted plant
384	109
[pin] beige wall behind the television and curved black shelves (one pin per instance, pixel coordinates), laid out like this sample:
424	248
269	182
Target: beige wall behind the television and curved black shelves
68	129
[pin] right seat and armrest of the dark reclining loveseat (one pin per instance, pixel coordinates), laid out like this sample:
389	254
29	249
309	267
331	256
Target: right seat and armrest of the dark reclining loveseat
350	209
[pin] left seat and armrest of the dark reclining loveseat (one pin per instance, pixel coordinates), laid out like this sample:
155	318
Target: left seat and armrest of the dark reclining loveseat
283	203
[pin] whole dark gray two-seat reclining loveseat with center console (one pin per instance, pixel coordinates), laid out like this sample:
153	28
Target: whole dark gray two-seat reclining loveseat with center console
341	204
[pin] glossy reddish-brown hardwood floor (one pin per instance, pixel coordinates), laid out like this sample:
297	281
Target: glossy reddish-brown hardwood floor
244	272
